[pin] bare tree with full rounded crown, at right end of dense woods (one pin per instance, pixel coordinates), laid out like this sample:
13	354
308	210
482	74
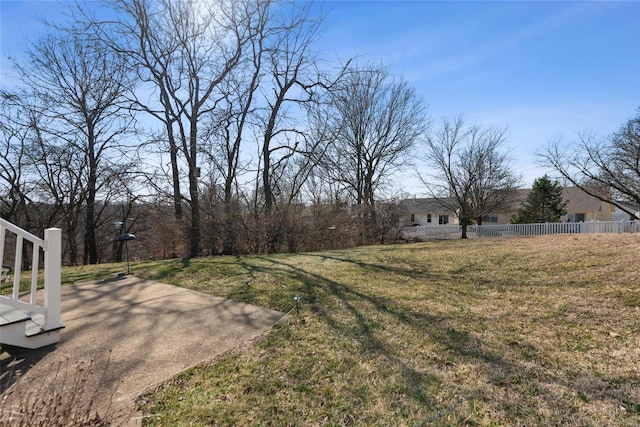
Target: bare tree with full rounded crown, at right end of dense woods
371	122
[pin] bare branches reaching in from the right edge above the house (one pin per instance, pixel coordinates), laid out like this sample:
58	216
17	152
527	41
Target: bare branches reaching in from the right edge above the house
593	163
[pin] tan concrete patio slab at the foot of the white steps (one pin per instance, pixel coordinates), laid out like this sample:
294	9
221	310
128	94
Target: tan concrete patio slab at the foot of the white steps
145	332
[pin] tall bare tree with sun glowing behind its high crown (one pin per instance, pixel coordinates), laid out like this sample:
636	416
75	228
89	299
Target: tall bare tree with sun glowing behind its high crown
182	52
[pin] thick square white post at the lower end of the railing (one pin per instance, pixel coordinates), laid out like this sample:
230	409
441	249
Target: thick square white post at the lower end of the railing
52	277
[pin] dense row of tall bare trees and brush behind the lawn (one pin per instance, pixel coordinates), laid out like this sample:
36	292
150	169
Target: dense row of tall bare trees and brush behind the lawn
217	127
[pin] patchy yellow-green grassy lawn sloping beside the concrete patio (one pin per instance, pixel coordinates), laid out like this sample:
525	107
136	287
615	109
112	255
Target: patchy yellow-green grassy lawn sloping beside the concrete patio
527	331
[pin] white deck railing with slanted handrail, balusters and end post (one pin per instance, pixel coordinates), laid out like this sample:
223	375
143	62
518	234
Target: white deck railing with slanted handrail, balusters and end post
51	245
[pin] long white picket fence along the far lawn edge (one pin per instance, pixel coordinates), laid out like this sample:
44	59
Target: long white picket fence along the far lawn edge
515	230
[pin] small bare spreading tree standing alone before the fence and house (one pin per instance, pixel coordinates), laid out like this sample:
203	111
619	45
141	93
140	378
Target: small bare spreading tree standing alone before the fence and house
470	174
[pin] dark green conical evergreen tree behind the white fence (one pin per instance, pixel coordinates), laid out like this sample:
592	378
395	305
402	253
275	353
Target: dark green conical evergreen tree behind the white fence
544	203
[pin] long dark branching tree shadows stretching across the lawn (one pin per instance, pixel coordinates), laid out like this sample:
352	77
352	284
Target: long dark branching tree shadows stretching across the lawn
353	312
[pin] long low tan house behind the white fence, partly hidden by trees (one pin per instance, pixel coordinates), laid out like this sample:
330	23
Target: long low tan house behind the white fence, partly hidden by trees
581	207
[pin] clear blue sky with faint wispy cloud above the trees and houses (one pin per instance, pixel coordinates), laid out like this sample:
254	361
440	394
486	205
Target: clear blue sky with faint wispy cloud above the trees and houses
543	69
